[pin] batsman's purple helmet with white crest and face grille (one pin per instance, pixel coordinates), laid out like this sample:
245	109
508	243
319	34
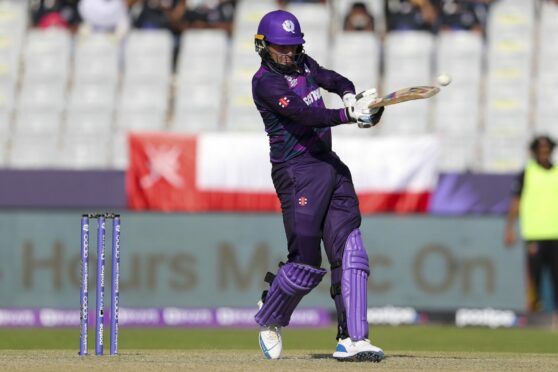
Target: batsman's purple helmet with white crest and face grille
279	27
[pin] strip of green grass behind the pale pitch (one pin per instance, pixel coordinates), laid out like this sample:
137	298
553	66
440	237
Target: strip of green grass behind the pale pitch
417	338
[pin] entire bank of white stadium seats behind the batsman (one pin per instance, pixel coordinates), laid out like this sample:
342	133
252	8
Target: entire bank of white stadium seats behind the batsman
92	88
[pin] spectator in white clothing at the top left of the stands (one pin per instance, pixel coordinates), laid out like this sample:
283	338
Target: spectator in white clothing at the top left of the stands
104	16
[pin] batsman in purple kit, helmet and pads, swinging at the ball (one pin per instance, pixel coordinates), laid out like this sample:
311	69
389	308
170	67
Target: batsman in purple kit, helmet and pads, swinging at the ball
315	187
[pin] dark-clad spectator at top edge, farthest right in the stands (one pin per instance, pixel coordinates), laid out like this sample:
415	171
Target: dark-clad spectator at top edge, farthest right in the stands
458	15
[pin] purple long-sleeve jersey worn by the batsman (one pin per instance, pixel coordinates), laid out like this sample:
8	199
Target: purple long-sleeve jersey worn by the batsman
294	114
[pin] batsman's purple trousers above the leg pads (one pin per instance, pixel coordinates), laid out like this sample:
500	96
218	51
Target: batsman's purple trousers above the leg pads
318	202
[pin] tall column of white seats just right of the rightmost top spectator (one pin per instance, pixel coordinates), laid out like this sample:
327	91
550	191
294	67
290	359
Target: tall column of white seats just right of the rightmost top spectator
510	33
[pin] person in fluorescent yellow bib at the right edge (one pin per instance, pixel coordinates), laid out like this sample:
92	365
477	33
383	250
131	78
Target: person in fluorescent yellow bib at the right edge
535	202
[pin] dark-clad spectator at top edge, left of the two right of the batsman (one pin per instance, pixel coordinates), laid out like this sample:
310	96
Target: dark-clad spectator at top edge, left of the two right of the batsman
410	15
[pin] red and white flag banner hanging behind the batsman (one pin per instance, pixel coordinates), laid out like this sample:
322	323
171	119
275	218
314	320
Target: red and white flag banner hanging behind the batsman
231	172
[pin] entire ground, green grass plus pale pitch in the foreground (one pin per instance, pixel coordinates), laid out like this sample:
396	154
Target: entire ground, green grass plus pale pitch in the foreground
409	348
